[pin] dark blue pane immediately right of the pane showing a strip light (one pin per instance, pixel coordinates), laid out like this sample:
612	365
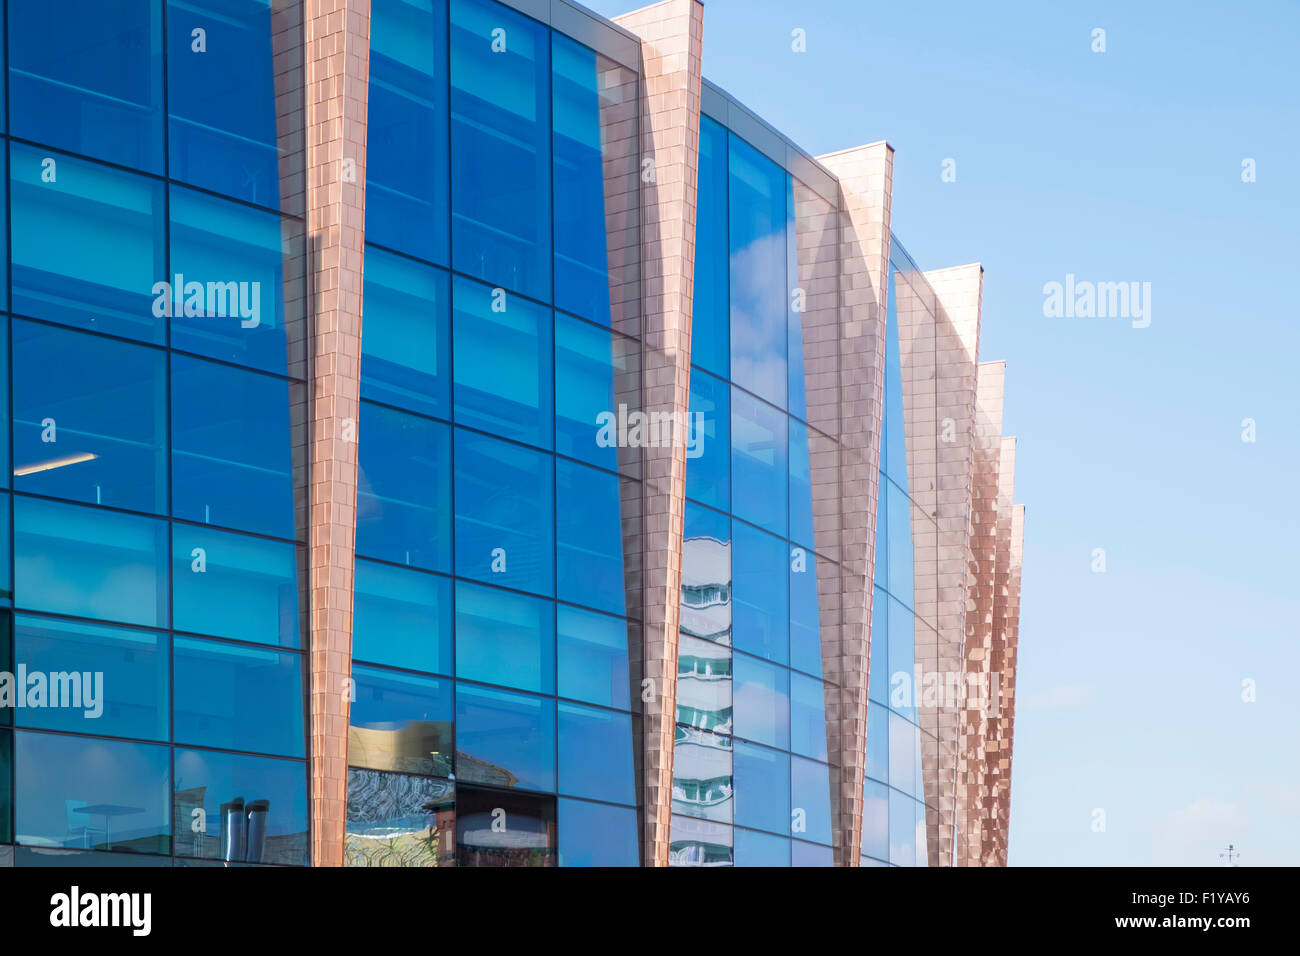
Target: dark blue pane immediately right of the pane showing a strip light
232	448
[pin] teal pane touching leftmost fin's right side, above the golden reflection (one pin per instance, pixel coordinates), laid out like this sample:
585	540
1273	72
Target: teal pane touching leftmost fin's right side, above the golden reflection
401	618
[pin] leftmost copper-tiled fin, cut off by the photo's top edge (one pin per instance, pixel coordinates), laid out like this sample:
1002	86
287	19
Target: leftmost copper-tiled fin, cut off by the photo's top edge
337	54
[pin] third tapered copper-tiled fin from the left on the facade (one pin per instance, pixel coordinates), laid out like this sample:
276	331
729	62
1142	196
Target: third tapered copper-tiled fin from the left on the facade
866	188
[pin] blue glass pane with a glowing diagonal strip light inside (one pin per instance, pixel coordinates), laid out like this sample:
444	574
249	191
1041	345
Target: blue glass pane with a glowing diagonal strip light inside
90	418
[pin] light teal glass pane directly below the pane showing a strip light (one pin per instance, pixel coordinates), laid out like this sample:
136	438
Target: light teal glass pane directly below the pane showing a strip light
90	564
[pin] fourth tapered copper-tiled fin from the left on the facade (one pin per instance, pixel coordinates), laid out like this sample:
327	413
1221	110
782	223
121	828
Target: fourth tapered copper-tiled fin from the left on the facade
939	318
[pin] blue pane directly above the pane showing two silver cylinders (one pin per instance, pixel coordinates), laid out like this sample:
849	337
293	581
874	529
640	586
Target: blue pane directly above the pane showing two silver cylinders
239	699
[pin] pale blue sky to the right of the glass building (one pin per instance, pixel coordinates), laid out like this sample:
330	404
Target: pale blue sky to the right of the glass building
1124	166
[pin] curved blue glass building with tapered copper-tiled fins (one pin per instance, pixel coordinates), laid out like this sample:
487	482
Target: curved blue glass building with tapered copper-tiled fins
453	432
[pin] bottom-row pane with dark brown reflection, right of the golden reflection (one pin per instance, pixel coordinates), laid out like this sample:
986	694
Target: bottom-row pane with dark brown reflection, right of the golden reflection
530	829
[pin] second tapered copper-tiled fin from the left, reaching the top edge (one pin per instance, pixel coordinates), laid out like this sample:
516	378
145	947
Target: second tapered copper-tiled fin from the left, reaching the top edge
671	41
